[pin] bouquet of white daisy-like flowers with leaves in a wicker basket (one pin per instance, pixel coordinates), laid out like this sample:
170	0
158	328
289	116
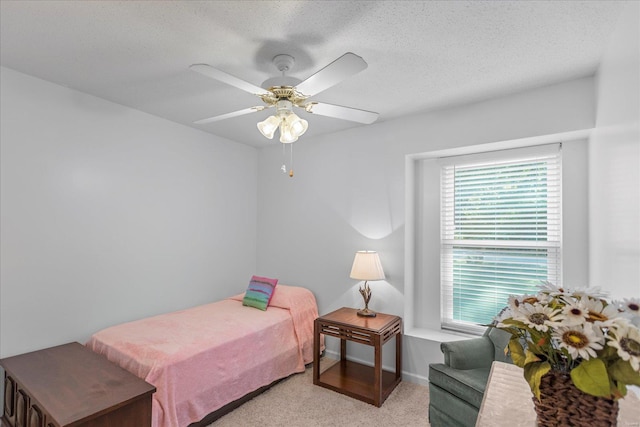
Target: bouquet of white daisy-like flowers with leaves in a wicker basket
574	338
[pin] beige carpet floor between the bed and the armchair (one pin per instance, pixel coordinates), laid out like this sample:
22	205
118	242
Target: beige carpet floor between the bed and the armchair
297	402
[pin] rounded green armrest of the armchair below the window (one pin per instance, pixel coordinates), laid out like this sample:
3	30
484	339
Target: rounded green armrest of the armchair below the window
468	354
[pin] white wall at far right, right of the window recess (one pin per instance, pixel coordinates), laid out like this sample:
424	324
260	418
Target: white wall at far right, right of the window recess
614	168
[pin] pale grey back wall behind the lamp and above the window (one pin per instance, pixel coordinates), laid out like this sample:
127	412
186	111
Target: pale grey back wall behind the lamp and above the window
348	193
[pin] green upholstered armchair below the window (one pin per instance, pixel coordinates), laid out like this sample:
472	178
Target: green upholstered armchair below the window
456	387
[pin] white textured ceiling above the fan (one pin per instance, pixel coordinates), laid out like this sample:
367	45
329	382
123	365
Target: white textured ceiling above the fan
421	55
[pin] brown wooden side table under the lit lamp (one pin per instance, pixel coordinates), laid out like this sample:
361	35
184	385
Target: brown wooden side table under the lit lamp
370	384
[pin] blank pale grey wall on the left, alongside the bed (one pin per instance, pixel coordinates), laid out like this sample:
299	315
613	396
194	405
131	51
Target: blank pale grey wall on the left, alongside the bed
110	214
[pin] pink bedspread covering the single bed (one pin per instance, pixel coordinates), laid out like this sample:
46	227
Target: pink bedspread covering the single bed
204	357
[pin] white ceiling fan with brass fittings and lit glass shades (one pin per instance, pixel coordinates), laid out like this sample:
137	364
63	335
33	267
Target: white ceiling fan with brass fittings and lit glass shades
284	93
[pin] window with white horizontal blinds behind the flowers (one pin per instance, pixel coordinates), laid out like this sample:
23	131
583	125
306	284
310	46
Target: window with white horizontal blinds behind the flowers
500	231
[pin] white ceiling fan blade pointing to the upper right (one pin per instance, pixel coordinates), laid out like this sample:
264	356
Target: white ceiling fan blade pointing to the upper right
343	67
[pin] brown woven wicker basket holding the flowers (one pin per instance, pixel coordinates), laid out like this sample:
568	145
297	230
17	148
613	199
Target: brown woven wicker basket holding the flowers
562	404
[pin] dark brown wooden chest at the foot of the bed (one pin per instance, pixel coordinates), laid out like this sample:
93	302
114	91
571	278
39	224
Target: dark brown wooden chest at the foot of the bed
69	385
